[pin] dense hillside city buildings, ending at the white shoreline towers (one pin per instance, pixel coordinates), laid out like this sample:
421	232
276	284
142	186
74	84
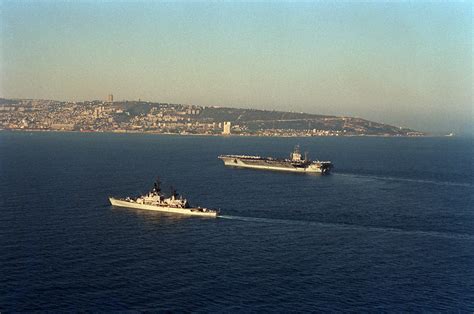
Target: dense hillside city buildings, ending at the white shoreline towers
98	116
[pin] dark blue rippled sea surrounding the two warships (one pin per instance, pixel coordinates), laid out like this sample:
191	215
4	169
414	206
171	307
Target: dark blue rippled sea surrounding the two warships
392	229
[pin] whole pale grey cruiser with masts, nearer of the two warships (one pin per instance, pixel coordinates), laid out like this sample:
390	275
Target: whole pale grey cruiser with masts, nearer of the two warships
155	200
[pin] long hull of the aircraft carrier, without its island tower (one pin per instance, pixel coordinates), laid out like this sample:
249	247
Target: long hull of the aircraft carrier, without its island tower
271	165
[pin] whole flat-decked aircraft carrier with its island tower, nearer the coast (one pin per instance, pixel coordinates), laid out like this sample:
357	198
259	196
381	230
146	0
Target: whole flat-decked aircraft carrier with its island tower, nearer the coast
294	164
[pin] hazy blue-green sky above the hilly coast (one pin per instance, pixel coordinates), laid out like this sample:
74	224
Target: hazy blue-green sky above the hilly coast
404	63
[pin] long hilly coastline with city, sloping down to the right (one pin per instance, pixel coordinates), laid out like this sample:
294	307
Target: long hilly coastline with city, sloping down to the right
150	117
